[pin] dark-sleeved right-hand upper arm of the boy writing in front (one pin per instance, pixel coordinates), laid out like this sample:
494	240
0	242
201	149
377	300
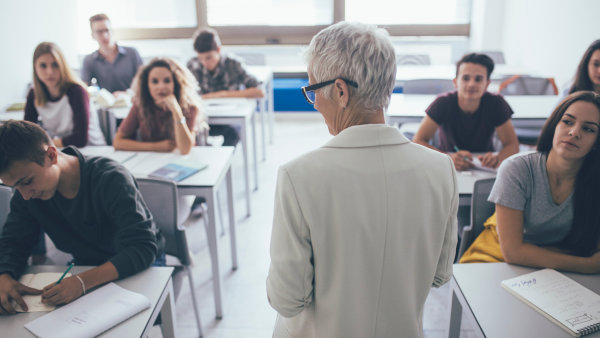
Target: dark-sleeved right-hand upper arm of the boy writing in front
135	239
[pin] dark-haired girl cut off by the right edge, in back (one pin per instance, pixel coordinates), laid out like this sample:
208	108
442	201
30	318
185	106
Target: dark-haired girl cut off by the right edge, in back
588	71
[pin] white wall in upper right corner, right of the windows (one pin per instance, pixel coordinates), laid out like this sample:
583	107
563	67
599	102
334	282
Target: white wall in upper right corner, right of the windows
549	37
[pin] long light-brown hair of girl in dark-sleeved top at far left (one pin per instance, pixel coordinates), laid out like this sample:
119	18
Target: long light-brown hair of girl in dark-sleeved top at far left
67	77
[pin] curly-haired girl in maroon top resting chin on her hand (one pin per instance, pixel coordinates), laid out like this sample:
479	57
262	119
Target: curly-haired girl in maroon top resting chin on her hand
166	110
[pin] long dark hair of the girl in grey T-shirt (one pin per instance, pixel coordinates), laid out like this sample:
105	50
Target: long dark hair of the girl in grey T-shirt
582	240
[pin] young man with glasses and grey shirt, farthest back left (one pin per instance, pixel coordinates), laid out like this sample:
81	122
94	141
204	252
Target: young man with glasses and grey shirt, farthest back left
113	66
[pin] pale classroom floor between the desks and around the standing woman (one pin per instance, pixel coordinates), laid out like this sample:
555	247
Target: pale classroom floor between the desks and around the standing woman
246	310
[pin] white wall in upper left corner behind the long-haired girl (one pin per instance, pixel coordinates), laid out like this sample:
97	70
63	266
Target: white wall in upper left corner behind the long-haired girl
24	24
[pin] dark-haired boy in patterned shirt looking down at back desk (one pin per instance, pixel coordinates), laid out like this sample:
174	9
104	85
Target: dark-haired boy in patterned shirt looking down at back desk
220	75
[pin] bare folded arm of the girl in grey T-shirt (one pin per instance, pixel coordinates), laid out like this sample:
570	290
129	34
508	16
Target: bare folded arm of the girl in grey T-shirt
516	251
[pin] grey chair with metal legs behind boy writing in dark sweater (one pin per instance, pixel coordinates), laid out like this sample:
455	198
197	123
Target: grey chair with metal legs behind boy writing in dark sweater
162	198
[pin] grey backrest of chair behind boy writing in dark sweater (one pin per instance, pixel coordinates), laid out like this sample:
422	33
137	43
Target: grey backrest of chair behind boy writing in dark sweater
162	200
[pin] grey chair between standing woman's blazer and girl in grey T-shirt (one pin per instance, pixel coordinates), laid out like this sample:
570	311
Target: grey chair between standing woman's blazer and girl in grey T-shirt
481	210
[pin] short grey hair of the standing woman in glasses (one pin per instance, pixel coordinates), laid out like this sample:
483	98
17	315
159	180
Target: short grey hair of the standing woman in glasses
359	52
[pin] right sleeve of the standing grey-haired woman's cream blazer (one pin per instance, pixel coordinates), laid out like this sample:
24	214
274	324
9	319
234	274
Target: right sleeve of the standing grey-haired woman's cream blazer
443	272
